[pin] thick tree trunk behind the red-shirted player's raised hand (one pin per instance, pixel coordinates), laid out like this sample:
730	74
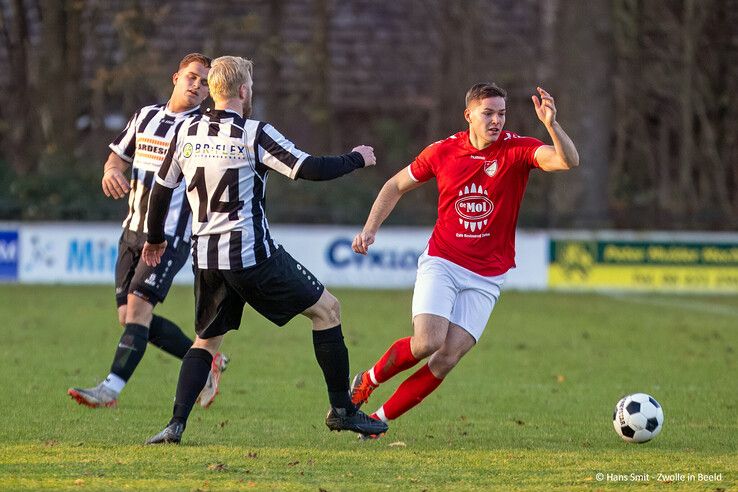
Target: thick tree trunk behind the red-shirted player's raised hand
584	50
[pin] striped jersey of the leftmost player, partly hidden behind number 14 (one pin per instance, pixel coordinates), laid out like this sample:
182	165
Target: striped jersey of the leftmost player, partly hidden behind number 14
144	143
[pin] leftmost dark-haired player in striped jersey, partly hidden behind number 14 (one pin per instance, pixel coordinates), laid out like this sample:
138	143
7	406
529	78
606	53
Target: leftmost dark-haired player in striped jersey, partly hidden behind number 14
138	287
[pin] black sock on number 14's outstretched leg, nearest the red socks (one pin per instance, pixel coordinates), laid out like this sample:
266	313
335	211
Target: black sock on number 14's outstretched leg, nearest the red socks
332	356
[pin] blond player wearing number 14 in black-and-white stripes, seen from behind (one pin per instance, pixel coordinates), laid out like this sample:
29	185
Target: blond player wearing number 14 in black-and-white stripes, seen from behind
224	158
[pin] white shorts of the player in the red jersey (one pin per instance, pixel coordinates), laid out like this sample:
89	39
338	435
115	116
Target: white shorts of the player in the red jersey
461	296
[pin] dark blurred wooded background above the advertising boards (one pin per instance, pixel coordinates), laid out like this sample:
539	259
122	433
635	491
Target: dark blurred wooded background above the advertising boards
643	87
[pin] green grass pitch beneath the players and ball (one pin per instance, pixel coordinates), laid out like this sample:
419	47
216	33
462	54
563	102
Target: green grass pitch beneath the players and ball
529	408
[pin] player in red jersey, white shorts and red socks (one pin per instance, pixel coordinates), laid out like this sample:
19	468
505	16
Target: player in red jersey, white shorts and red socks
481	175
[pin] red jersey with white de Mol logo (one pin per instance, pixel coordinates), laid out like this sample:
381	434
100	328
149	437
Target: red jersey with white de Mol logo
479	196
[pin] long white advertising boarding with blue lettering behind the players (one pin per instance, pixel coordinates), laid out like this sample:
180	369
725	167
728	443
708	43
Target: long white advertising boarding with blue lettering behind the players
84	253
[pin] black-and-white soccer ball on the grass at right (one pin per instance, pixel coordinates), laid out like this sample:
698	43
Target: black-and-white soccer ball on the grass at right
638	418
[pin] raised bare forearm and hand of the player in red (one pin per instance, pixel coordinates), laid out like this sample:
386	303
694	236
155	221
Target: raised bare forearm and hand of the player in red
562	155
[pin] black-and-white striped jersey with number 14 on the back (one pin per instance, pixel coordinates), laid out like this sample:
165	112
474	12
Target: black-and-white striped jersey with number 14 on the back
224	159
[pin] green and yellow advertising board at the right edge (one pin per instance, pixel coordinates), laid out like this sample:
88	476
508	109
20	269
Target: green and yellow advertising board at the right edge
638	265
